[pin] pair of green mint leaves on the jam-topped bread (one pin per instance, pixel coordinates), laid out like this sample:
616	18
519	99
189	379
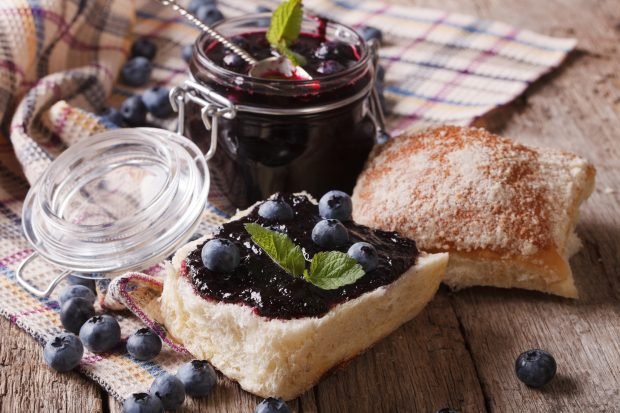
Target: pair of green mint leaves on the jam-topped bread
328	270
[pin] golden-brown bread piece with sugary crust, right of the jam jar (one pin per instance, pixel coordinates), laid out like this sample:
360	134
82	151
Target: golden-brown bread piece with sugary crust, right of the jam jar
505	212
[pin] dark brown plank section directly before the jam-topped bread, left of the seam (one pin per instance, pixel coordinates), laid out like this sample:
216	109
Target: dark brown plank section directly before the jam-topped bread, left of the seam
421	367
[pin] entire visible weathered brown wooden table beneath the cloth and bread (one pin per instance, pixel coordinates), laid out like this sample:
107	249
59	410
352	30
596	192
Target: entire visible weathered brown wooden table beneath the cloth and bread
461	350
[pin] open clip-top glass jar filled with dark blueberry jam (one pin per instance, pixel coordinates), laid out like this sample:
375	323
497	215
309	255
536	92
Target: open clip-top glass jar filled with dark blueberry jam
275	133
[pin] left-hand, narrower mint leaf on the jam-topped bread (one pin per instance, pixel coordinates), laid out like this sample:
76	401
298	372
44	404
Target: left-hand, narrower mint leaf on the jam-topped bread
279	247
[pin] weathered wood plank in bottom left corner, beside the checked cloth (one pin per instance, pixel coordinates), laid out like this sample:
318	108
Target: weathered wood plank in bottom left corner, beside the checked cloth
28	385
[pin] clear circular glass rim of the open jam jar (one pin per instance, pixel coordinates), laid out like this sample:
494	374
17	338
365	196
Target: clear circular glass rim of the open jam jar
212	67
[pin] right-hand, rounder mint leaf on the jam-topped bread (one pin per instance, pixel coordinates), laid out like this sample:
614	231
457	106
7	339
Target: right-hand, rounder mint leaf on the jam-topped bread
331	270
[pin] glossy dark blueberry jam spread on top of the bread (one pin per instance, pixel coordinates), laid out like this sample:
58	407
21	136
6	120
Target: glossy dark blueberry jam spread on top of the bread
260	283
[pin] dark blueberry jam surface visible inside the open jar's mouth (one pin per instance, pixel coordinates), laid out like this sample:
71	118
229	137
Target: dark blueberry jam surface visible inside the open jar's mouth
318	52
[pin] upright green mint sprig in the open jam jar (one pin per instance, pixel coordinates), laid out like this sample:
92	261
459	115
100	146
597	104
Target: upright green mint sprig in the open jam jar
285	28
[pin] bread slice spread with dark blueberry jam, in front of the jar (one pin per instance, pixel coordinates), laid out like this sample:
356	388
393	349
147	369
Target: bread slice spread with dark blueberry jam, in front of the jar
277	334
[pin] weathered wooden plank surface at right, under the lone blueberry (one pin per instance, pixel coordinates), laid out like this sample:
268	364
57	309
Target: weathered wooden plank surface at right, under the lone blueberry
578	110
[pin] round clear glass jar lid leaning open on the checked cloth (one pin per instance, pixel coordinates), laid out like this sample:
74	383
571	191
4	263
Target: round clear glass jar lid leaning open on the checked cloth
117	201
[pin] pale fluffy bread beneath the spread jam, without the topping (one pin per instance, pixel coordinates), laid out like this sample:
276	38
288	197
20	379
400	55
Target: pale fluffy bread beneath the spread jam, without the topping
283	358
